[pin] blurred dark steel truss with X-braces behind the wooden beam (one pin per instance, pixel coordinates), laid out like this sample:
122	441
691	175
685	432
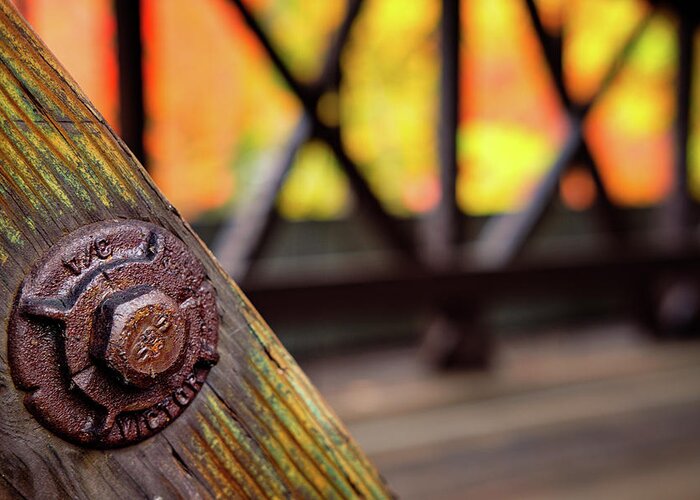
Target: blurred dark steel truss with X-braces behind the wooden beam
435	271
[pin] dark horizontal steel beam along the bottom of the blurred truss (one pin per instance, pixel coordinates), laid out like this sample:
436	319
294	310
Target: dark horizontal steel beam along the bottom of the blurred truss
415	290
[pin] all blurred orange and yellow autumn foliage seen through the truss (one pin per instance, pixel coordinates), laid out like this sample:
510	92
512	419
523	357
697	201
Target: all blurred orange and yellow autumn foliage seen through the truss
216	107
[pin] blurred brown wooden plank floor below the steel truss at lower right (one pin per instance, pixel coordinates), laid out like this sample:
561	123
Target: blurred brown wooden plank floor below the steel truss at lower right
594	412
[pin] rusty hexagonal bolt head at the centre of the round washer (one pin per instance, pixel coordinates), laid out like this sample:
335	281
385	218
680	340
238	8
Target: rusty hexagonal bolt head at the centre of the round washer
140	335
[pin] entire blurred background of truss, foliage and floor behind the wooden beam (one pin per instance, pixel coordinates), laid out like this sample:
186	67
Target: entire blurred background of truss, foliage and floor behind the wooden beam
474	223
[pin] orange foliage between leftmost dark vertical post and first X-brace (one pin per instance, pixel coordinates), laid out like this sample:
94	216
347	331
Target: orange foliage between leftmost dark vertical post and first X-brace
207	88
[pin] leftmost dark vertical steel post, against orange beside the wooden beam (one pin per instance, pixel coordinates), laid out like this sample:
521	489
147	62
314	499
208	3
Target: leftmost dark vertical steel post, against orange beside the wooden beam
132	114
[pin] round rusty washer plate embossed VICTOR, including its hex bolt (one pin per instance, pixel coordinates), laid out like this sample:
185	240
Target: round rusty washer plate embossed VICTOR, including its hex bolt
113	333
